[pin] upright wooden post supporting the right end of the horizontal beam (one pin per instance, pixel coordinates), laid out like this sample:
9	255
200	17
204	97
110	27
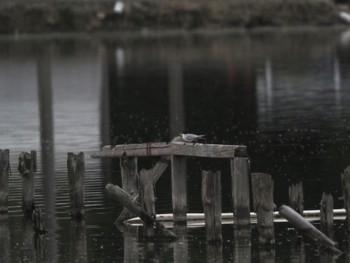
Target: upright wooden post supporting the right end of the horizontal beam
240	190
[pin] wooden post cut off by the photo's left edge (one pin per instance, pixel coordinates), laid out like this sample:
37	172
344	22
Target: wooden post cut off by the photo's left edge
4	179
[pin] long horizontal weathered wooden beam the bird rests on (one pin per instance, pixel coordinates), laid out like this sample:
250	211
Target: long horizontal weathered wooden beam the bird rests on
174	148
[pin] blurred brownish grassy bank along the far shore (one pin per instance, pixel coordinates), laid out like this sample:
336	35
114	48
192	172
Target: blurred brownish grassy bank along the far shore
158	14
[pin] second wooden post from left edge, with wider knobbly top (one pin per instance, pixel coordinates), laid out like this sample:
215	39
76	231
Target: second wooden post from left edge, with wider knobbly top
27	166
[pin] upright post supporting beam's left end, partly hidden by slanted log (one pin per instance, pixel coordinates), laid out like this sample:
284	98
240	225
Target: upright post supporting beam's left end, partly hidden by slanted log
128	166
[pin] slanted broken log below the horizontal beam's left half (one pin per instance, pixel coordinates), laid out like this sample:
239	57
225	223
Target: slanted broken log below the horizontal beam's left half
126	200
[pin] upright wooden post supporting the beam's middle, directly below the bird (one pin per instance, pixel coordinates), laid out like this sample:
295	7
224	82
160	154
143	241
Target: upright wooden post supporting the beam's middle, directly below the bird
179	191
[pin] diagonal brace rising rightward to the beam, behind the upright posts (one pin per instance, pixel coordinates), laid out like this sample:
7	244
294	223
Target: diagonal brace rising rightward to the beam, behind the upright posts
156	171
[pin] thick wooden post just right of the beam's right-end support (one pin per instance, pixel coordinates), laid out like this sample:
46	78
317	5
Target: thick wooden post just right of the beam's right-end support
262	186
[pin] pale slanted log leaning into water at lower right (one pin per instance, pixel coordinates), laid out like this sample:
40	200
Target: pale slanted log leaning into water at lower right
308	229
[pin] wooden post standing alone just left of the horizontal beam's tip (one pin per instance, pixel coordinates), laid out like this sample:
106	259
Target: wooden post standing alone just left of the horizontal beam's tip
76	178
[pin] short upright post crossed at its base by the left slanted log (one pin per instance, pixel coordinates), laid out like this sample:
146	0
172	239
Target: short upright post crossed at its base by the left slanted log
147	201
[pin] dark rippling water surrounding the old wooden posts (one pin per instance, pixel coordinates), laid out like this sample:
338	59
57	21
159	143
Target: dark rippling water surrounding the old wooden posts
284	94
